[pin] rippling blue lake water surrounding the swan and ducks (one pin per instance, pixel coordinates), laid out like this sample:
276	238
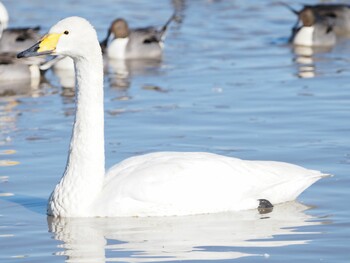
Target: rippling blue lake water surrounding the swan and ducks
228	84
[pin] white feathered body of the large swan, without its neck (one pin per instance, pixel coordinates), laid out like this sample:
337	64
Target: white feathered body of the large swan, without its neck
172	183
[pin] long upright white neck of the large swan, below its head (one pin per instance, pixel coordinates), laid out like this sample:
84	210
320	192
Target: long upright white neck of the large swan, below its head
83	178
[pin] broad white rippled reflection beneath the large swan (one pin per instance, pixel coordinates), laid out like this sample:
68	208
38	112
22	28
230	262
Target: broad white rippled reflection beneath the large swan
150	239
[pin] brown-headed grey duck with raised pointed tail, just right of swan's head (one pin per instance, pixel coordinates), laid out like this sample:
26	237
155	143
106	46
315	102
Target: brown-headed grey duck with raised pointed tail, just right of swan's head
140	43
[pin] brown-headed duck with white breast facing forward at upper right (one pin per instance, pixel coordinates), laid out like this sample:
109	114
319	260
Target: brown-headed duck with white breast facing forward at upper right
315	31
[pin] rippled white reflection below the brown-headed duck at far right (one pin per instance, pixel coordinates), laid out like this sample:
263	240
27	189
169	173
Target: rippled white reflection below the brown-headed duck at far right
305	59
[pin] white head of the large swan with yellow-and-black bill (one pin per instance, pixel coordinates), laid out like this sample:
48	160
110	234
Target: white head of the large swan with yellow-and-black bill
72	36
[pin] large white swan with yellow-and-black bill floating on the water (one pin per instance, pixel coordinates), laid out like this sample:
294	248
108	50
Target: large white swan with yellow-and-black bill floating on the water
156	184
